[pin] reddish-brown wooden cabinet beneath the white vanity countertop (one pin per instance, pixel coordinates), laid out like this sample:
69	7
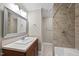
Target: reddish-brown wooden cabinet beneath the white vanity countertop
31	51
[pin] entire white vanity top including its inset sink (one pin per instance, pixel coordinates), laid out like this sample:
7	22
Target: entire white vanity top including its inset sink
20	45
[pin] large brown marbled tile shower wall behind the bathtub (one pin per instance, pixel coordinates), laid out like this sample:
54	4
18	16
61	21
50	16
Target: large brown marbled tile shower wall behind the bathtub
64	25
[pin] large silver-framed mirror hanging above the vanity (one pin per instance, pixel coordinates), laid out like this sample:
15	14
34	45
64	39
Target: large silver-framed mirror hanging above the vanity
14	24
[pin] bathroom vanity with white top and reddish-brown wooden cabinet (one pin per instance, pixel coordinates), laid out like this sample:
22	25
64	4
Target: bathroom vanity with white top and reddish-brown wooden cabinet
21	49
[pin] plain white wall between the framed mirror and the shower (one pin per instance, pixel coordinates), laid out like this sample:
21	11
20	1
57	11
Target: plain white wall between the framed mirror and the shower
35	24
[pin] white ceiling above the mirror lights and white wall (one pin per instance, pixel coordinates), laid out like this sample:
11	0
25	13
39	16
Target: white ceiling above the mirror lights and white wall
34	6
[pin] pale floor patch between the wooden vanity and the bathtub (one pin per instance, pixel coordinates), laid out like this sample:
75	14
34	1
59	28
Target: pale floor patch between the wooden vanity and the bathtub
47	49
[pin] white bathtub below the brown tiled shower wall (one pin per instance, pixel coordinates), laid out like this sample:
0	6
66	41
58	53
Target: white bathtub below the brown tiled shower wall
60	51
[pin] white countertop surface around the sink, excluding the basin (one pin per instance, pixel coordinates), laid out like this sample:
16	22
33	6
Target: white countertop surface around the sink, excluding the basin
19	47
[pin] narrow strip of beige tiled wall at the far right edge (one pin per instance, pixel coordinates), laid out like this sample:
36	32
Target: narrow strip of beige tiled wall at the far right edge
77	26
